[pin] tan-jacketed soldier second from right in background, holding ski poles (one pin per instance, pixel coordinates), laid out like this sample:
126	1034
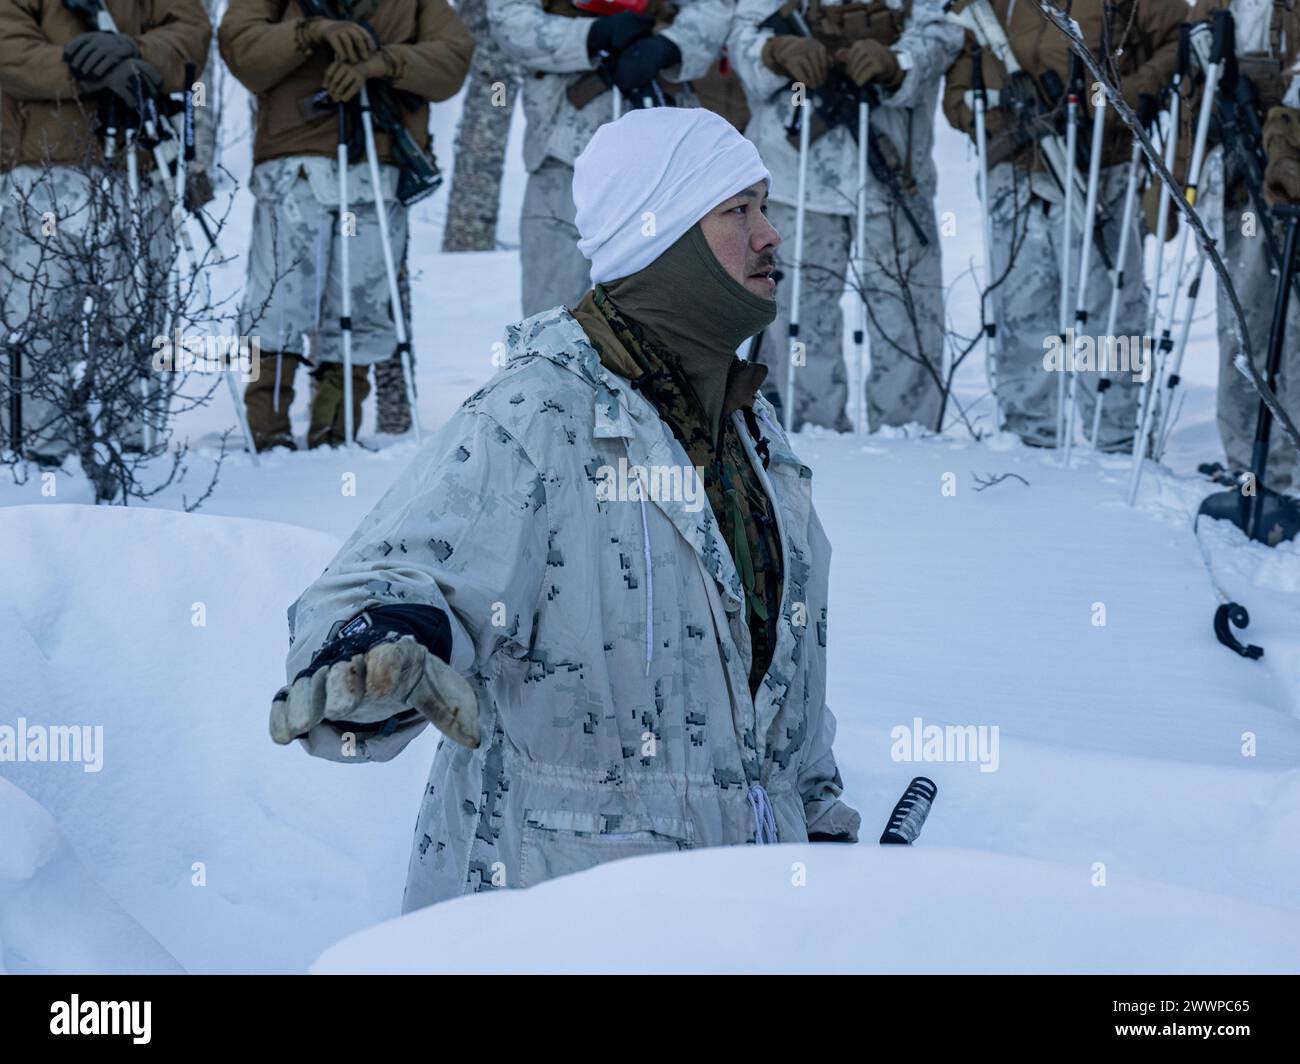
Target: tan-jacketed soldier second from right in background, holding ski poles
1026	204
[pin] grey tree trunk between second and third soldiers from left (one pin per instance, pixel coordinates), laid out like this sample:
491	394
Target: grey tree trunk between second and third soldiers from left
475	200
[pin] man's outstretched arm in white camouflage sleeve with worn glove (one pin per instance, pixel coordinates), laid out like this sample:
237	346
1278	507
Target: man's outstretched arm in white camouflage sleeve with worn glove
463	535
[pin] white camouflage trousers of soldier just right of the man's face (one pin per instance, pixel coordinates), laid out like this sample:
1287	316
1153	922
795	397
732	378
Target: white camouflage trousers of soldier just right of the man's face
903	286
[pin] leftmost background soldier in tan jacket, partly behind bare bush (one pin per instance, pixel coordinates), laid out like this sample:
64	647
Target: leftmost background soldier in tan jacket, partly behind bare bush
57	72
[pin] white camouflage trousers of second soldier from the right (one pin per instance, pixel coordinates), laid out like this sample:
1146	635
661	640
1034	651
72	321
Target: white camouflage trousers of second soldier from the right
1028	310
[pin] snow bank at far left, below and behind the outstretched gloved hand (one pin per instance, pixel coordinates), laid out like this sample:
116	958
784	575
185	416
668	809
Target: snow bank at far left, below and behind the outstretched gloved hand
168	632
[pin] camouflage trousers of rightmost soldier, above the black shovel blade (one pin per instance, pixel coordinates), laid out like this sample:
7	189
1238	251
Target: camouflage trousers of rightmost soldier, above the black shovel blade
1256	287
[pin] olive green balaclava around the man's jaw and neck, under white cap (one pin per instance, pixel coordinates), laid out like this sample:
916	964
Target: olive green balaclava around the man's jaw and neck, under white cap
697	312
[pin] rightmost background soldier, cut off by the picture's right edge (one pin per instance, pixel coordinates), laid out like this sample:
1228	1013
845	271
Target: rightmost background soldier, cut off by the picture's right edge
1268	47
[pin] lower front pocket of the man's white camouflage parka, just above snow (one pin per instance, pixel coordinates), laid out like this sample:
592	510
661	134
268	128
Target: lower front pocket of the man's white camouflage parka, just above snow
560	842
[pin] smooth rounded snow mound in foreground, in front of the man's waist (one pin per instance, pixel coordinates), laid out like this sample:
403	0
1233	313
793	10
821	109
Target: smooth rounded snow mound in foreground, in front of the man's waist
829	910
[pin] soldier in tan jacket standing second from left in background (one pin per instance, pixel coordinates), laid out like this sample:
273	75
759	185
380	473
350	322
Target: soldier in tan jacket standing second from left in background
293	287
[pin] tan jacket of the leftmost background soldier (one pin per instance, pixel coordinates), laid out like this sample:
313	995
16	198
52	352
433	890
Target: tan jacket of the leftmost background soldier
42	116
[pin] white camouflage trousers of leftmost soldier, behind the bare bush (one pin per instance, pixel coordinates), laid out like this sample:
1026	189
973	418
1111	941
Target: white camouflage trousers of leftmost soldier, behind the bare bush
31	273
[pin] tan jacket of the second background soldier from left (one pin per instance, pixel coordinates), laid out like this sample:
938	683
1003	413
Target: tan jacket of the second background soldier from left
262	44
